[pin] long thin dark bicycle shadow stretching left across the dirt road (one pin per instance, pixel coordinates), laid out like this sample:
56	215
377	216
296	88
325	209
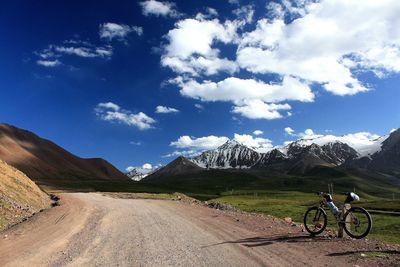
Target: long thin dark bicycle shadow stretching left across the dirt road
265	241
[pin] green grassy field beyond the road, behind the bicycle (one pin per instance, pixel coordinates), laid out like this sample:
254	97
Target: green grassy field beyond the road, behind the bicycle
293	204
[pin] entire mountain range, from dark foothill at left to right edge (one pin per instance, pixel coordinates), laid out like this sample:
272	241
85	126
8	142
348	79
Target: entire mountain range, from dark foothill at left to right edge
296	158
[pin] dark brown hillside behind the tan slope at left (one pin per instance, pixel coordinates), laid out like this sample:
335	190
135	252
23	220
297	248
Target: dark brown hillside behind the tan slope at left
44	161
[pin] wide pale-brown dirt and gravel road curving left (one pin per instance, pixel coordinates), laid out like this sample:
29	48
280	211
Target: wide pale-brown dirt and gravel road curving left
94	230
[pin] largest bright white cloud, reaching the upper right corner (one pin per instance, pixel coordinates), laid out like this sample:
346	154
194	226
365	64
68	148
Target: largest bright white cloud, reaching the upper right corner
319	45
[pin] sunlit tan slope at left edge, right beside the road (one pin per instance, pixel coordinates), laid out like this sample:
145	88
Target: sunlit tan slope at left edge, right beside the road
19	196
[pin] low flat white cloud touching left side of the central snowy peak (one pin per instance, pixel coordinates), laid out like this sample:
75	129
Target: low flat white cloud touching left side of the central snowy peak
201	143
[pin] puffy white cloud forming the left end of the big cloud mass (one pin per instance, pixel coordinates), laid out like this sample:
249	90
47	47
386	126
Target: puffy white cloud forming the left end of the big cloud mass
196	56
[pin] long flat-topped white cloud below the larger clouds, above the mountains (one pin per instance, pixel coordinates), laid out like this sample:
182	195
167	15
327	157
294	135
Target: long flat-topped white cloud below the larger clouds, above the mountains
252	99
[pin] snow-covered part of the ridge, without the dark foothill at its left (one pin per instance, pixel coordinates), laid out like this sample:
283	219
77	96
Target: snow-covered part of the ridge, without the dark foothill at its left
299	155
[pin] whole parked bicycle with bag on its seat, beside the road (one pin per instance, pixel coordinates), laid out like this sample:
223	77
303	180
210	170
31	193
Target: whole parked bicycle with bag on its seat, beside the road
356	221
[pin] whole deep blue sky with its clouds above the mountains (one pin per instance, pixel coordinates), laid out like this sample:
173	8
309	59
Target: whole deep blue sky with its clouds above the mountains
89	75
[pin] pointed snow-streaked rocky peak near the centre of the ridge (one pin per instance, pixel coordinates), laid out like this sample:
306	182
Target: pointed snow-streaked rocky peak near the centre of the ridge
232	154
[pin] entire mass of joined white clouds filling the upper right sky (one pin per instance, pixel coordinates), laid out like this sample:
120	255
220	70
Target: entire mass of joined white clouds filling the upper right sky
304	43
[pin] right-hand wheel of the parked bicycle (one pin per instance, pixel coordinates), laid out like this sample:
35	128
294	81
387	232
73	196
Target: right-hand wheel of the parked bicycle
357	222
